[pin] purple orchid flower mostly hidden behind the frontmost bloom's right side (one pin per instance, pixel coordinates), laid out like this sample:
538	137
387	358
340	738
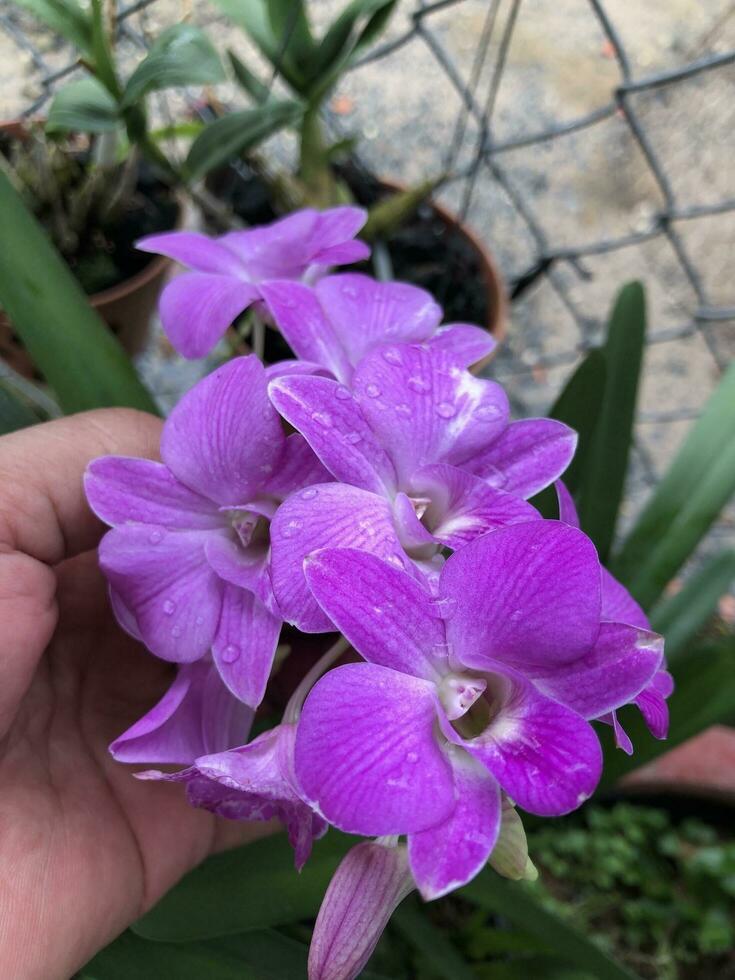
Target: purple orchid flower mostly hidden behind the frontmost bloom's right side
618	605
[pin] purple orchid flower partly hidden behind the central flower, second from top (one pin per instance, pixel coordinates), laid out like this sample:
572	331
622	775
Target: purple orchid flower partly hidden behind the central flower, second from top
335	324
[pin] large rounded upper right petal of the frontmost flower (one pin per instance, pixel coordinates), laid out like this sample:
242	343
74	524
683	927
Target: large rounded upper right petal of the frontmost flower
525	595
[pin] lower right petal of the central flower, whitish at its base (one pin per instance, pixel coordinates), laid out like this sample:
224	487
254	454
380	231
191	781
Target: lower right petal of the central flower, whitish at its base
463	506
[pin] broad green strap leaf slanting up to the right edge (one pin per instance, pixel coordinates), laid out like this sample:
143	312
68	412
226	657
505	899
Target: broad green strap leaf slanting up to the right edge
704	445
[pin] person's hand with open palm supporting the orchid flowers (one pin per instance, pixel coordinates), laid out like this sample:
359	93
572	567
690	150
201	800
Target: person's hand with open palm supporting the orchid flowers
84	847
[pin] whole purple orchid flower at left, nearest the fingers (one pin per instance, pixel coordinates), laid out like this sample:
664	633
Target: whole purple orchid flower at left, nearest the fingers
188	556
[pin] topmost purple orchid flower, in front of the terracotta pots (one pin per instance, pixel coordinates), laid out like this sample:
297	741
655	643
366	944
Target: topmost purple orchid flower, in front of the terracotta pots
228	272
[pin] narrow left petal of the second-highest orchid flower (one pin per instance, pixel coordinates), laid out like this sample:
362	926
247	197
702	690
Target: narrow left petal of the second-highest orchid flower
299	316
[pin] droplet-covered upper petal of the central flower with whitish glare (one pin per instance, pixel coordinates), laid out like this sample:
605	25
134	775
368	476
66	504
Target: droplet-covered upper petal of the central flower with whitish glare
425	409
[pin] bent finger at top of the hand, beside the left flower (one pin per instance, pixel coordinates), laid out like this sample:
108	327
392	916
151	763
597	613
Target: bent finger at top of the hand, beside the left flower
43	512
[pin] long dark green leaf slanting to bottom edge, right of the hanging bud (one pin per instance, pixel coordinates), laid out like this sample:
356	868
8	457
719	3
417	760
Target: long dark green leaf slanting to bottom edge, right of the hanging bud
520	906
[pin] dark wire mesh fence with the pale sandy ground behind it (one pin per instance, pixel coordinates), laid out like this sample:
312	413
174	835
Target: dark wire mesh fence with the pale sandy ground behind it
580	161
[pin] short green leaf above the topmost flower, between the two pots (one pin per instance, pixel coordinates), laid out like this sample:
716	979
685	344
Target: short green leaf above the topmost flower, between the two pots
228	137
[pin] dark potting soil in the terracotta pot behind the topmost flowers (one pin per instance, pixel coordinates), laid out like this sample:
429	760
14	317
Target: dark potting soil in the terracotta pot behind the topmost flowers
426	251
